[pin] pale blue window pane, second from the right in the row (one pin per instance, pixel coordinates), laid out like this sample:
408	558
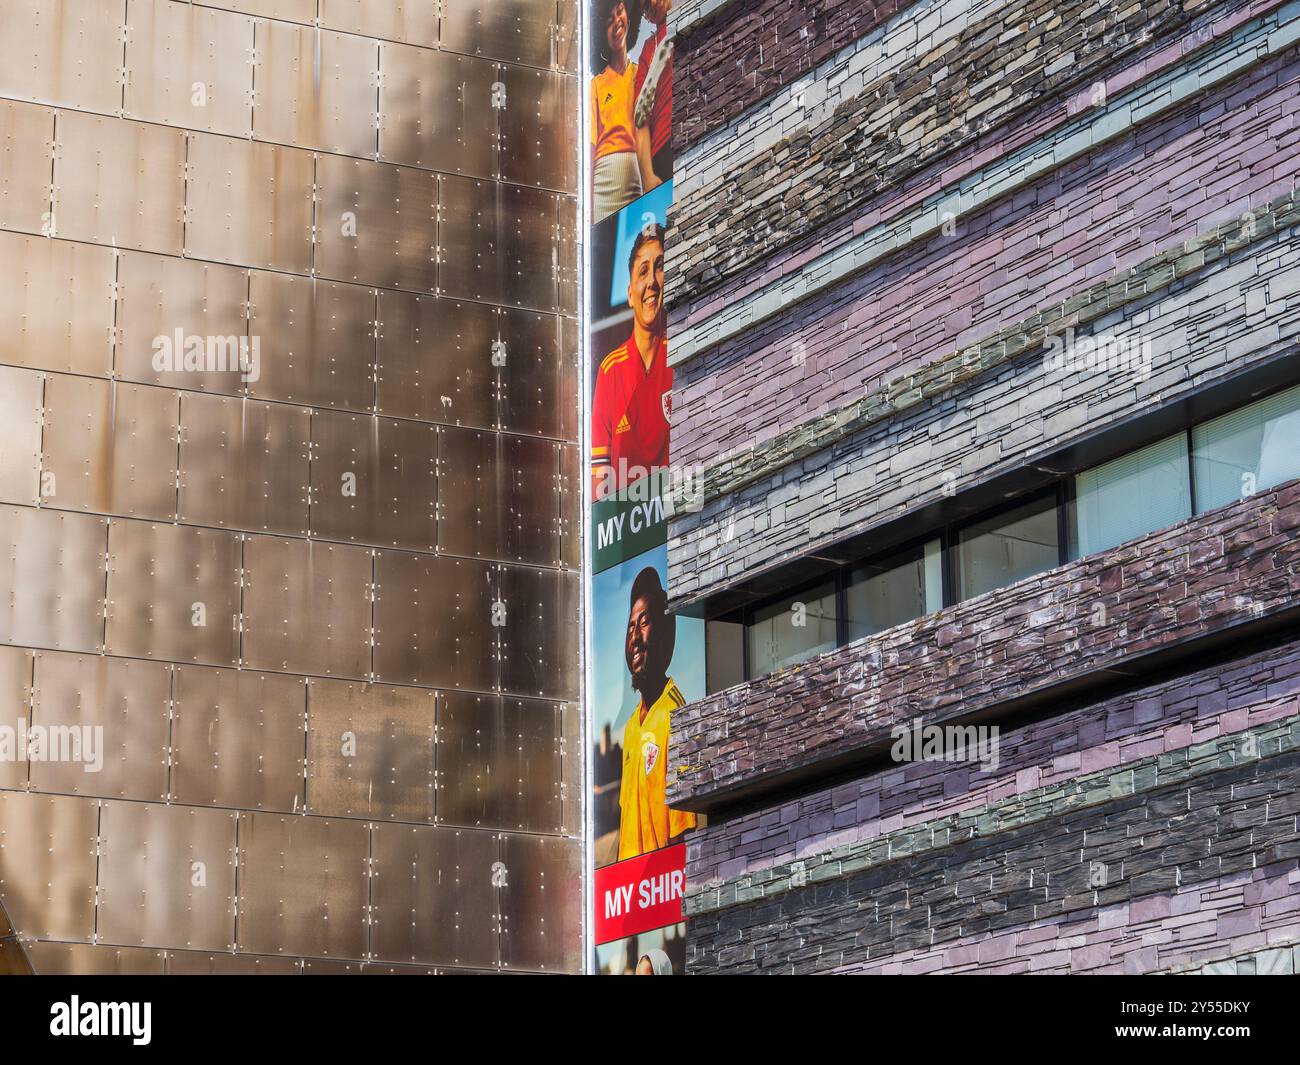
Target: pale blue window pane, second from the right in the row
1134	495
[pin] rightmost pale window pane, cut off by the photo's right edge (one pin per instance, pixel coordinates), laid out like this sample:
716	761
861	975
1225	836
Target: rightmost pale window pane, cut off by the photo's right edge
1247	452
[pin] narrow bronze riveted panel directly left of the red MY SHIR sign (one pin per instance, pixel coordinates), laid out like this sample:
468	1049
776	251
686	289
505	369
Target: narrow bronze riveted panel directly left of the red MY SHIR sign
541	914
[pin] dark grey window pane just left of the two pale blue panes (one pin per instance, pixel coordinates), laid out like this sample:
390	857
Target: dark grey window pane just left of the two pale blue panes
1008	548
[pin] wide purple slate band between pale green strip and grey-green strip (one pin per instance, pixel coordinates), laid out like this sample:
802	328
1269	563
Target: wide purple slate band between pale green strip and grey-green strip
1093	219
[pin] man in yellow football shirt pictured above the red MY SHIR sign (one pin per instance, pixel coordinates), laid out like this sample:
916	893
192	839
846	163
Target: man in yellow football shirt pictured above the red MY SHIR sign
645	821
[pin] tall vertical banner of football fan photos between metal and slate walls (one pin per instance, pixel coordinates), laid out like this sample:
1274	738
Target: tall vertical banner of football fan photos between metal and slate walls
645	664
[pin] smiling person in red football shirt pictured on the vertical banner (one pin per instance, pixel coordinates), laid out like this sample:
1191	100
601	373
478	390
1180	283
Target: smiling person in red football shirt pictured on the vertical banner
634	384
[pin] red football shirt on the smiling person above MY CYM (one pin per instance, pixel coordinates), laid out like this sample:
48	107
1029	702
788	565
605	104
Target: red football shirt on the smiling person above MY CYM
630	414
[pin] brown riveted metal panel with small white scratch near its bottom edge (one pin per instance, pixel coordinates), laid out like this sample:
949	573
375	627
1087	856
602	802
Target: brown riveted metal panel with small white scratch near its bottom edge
436	360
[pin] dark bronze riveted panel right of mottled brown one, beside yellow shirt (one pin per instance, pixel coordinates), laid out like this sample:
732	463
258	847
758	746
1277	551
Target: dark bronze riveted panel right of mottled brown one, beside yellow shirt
499	763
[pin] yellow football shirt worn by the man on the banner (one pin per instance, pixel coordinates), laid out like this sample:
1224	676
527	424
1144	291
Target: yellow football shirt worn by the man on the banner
645	821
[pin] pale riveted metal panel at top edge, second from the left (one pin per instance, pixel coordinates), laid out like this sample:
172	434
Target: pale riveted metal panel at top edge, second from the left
190	67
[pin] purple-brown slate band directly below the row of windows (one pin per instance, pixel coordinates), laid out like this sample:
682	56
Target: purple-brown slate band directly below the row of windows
1215	573
